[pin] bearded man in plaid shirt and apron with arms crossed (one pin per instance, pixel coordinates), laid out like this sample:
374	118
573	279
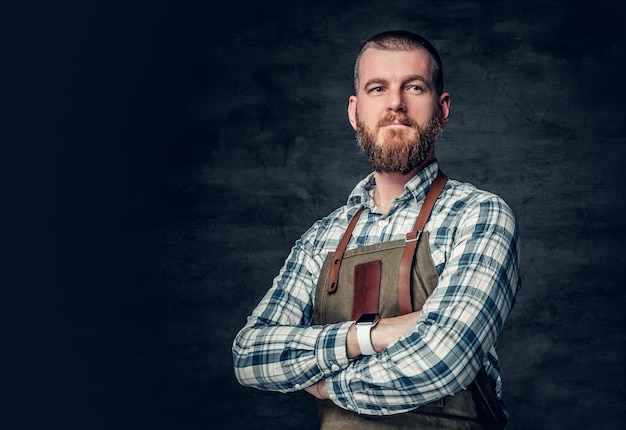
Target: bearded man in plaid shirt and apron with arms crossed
428	267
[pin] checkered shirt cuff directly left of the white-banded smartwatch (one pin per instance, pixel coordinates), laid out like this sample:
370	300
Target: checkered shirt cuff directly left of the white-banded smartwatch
332	355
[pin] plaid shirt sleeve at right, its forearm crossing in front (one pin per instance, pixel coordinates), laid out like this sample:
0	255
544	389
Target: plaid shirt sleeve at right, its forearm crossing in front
460	321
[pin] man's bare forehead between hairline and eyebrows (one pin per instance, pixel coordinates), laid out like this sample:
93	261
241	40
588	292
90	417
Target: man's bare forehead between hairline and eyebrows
395	65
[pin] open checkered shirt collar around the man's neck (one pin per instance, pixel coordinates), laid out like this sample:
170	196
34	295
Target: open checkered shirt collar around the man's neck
416	188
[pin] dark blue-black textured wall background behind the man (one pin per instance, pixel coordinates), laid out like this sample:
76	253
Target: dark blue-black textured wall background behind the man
174	151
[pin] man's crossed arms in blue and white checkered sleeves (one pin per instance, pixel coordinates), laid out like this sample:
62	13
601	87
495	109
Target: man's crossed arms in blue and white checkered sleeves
422	356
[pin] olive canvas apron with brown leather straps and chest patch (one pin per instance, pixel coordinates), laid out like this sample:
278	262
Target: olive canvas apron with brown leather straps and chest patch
343	296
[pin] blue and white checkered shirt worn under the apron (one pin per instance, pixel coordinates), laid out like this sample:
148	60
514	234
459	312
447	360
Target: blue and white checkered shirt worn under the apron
474	245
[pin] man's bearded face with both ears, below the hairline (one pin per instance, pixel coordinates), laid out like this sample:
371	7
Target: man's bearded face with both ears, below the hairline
397	113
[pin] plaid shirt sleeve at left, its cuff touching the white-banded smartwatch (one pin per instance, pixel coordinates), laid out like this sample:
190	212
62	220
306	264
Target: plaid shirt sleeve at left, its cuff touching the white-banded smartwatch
279	349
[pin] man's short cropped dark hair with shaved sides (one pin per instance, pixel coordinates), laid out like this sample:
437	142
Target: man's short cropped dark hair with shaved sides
401	40
